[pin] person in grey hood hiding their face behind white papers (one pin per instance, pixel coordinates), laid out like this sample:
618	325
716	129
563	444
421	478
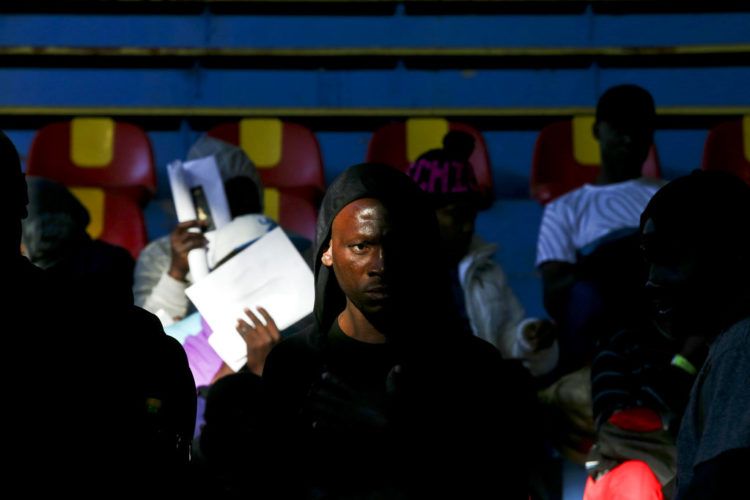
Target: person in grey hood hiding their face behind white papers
162	270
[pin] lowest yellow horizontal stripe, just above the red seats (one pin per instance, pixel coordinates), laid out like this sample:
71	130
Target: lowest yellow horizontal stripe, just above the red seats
283	112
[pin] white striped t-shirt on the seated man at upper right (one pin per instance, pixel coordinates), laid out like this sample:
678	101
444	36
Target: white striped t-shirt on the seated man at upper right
580	217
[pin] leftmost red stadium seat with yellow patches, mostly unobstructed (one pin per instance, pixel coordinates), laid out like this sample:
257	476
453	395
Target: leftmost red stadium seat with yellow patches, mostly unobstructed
108	165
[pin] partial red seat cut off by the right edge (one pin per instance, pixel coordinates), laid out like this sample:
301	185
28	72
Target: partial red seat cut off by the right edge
728	148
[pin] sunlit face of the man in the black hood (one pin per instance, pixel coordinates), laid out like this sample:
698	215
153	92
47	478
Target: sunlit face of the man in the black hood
363	254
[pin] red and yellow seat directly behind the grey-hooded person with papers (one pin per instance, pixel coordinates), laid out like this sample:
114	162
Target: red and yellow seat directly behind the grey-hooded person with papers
288	160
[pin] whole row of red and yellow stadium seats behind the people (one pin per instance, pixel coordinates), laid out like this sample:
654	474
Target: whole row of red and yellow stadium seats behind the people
109	165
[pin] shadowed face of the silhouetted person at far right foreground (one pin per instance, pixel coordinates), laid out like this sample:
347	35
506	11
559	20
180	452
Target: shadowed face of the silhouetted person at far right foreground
676	298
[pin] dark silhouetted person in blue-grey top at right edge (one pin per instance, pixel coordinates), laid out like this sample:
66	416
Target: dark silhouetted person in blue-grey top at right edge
696	240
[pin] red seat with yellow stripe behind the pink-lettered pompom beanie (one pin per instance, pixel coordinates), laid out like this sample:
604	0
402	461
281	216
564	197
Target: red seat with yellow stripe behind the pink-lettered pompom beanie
399	144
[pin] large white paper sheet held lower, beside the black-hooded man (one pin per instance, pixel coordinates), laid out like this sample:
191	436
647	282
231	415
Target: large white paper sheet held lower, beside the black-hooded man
269	273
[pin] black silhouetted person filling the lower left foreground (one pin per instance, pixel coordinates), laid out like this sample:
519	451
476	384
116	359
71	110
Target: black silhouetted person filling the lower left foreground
102	398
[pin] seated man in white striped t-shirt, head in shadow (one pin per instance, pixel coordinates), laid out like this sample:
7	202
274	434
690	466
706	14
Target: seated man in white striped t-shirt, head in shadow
578	252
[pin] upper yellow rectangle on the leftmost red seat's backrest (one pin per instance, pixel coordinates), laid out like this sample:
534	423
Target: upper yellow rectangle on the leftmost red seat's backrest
92	142
